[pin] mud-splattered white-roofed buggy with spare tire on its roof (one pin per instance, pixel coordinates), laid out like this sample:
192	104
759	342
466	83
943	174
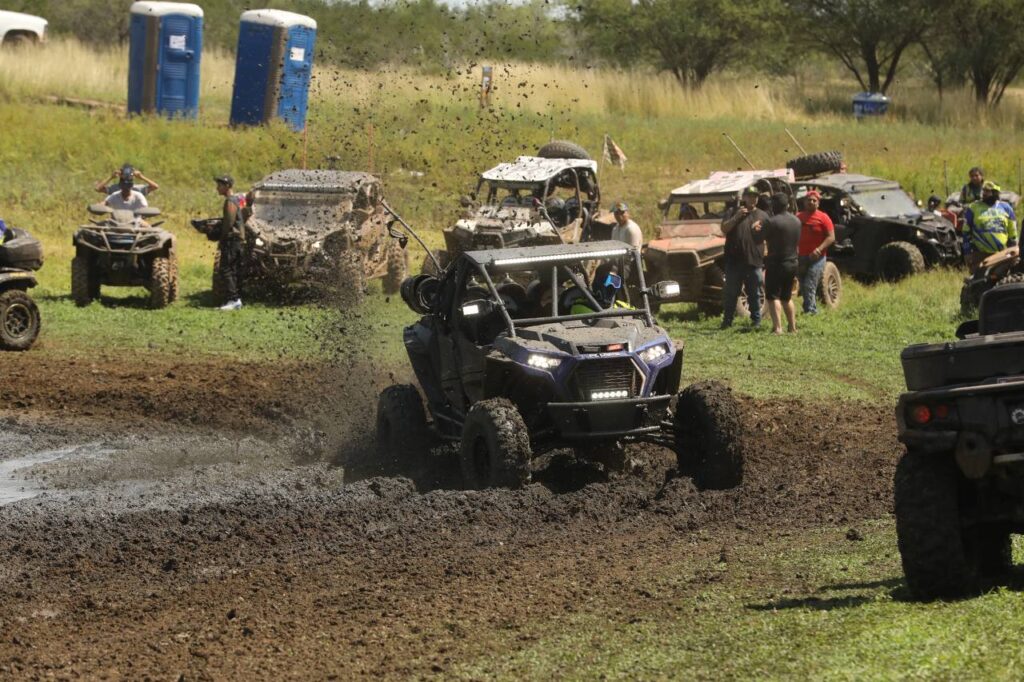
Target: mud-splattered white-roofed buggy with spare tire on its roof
532	201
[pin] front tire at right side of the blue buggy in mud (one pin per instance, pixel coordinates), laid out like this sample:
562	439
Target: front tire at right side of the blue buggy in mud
709	436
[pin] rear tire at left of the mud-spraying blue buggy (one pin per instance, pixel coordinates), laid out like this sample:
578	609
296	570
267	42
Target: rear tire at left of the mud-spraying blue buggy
403	435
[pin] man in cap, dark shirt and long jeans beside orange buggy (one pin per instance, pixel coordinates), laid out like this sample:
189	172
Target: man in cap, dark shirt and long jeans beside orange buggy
744	259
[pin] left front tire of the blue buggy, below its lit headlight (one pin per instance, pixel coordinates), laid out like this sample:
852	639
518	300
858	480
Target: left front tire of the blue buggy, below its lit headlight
495	450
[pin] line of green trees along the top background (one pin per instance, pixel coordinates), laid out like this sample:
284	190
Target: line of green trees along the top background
978	44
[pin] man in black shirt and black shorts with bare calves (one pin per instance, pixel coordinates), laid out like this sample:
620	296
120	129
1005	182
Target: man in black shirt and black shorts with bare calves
782	233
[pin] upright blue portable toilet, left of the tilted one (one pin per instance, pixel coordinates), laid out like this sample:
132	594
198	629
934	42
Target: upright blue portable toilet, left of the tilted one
166	47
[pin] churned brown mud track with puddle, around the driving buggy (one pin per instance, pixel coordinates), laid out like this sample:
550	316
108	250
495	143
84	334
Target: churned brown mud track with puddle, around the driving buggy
216	544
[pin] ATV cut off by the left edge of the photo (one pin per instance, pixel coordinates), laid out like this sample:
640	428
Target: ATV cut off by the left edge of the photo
21	257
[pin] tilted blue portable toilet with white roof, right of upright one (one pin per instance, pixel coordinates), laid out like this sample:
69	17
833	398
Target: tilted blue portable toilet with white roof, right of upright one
273	69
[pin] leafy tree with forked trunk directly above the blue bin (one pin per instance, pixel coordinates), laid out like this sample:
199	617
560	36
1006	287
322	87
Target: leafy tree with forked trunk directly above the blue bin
870	37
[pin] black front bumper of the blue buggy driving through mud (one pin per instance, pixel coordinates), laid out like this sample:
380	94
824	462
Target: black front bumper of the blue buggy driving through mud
609	419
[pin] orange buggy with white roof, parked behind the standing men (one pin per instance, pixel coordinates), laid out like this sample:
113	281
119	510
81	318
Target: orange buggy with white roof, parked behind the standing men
691	246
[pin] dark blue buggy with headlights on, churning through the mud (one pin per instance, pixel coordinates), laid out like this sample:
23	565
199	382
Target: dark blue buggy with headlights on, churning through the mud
511	373
